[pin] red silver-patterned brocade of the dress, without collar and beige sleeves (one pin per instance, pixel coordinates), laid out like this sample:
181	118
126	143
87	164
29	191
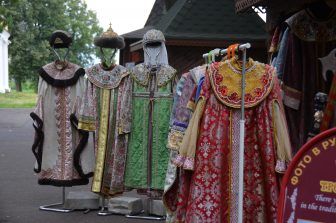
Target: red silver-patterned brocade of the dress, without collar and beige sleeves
209	193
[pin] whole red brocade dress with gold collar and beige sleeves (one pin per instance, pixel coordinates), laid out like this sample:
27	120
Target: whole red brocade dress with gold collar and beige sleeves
210	194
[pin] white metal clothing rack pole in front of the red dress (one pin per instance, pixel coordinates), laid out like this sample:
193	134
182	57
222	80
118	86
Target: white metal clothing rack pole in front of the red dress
217	52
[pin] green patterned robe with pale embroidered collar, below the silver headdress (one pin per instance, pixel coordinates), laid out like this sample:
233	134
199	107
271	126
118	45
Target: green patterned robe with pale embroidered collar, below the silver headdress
150	126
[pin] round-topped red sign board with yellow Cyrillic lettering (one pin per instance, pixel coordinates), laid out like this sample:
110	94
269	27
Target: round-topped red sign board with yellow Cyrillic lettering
308	191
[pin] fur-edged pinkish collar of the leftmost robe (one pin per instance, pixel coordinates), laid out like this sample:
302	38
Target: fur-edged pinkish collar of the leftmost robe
61	78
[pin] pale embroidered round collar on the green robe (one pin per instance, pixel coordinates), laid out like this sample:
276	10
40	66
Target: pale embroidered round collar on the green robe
164	74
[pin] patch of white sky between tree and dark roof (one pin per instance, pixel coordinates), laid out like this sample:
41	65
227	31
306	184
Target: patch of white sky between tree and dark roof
124	15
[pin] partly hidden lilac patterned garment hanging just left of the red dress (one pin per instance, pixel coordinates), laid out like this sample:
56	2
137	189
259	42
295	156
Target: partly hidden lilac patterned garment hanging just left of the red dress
182	109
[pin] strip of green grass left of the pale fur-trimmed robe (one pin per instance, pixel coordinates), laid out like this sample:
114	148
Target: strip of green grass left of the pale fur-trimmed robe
15	99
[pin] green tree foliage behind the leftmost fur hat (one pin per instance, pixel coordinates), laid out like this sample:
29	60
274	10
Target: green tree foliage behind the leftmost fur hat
31	22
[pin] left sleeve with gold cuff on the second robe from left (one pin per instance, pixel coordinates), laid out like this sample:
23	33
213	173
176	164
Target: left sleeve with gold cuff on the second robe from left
86	117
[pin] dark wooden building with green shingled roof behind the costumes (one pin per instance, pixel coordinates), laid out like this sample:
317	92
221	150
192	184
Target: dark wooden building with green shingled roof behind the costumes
194	27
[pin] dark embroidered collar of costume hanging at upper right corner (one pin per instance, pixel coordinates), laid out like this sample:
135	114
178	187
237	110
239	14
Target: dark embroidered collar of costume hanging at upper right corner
308	28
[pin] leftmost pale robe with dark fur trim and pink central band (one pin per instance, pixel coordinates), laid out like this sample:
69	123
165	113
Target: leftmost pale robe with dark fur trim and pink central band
59	147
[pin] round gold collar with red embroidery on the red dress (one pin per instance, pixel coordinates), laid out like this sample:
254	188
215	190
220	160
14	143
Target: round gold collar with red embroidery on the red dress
226	82
